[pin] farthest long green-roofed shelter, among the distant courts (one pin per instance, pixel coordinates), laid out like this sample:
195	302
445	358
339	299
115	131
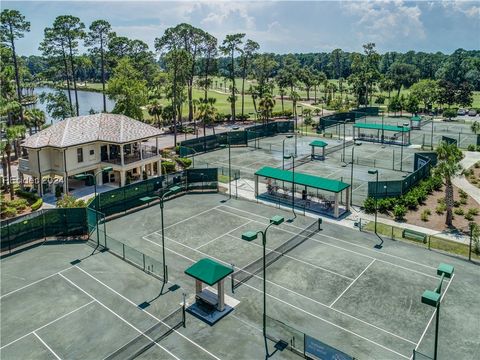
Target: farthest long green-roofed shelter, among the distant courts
376	133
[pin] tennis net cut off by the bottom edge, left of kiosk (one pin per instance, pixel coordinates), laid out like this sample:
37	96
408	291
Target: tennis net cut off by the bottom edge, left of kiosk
149	338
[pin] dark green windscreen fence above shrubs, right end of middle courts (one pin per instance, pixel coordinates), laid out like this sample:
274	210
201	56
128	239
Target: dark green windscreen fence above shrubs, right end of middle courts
422	166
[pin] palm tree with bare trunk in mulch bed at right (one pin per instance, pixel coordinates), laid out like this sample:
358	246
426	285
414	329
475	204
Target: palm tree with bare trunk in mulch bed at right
448	167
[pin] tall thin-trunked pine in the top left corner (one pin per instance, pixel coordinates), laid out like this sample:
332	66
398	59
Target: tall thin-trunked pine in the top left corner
13	26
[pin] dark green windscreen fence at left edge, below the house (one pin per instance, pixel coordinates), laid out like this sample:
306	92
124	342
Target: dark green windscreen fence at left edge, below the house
41	225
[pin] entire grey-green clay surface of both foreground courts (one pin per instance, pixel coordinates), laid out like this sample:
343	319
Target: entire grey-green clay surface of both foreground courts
334	286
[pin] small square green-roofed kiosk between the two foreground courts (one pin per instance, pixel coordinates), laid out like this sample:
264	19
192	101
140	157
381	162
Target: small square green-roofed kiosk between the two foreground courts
210	272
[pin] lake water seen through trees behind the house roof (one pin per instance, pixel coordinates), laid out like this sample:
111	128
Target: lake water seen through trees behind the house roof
86	100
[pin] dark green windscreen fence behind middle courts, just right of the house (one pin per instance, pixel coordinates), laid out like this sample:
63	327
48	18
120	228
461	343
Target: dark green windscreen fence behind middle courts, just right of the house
234	138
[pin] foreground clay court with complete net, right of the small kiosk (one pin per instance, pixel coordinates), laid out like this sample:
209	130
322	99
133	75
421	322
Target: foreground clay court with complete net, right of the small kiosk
334	286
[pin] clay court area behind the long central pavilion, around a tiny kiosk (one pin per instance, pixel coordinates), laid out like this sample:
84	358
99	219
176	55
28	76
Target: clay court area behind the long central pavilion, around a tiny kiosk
392	162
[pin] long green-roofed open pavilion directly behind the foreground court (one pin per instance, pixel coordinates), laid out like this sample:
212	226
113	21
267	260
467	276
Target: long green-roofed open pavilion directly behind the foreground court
314	203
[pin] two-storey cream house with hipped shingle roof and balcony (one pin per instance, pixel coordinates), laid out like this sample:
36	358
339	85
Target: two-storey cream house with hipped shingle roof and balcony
86	144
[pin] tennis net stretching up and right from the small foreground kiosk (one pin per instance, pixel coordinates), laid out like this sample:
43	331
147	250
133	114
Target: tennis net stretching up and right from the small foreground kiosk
244	274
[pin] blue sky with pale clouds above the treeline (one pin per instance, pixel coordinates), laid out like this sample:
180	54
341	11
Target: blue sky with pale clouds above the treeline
278	26
